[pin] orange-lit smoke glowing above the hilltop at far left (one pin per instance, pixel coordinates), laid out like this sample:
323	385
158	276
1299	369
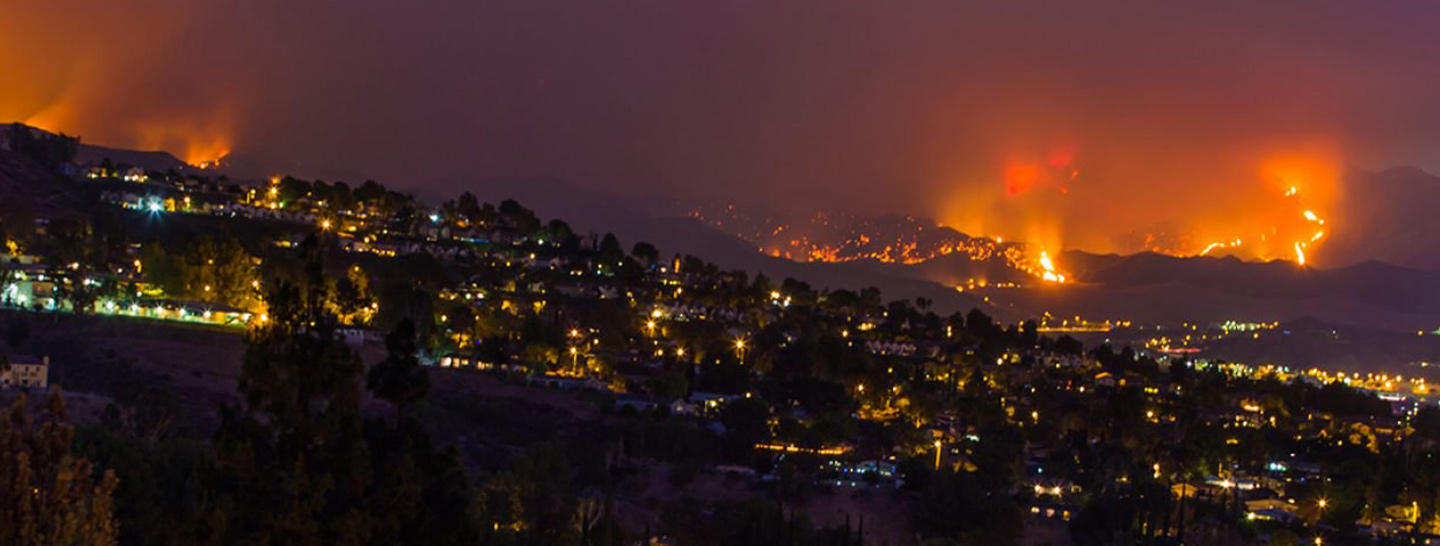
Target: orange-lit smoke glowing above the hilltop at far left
113	86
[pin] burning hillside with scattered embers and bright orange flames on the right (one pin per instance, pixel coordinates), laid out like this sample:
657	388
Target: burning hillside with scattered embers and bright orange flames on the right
1026	220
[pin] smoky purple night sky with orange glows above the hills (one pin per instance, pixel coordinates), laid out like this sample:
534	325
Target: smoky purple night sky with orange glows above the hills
1084	119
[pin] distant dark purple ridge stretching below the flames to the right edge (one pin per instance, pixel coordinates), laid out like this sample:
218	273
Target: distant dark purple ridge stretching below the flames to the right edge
1143	287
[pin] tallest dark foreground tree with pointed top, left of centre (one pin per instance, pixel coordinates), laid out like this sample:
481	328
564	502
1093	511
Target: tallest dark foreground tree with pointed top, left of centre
292	457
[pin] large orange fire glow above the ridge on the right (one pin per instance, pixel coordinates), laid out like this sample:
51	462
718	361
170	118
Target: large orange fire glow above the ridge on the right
1278	207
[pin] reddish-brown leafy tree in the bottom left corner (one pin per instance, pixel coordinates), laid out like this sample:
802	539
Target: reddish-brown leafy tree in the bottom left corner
47	495
